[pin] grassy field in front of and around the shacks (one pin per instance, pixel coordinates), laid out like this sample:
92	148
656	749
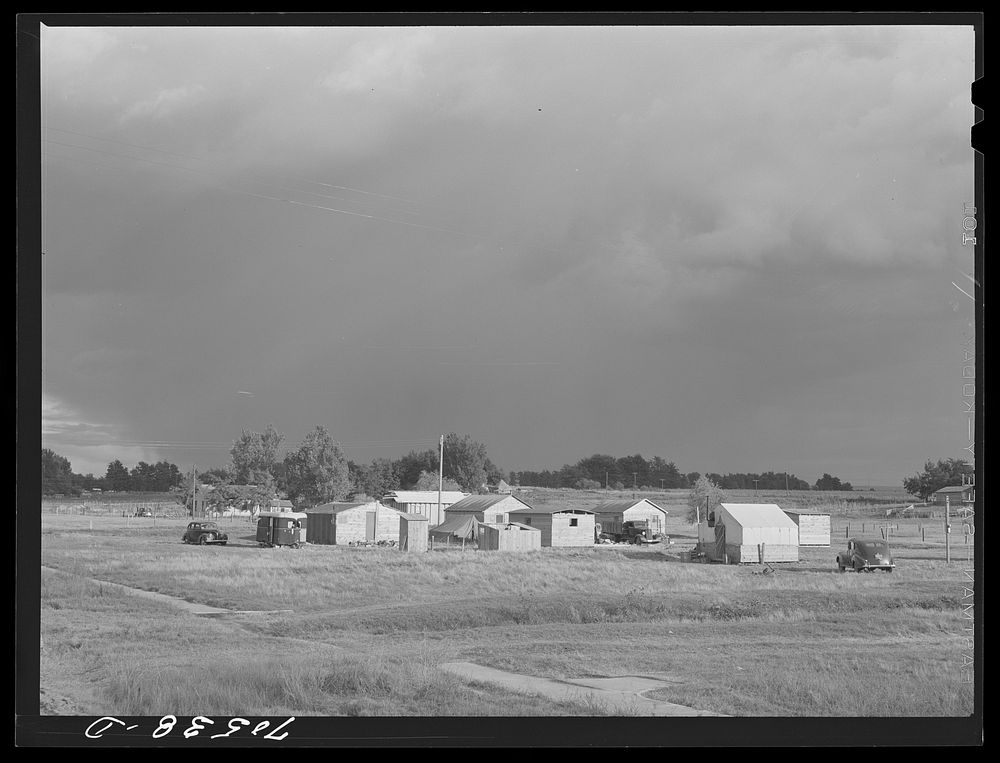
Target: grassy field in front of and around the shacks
368	627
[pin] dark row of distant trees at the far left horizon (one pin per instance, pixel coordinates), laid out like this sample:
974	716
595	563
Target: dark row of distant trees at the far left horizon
58	477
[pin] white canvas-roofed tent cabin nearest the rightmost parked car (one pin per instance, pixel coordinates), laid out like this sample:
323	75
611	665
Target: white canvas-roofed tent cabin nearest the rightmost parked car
739	533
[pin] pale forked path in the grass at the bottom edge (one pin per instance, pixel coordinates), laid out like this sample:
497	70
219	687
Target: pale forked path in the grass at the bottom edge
621	693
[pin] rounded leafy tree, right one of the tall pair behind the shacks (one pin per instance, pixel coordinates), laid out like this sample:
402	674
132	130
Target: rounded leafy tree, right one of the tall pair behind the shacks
317	471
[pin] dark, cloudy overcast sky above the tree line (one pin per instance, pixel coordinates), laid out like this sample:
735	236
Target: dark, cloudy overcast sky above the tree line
738	248
